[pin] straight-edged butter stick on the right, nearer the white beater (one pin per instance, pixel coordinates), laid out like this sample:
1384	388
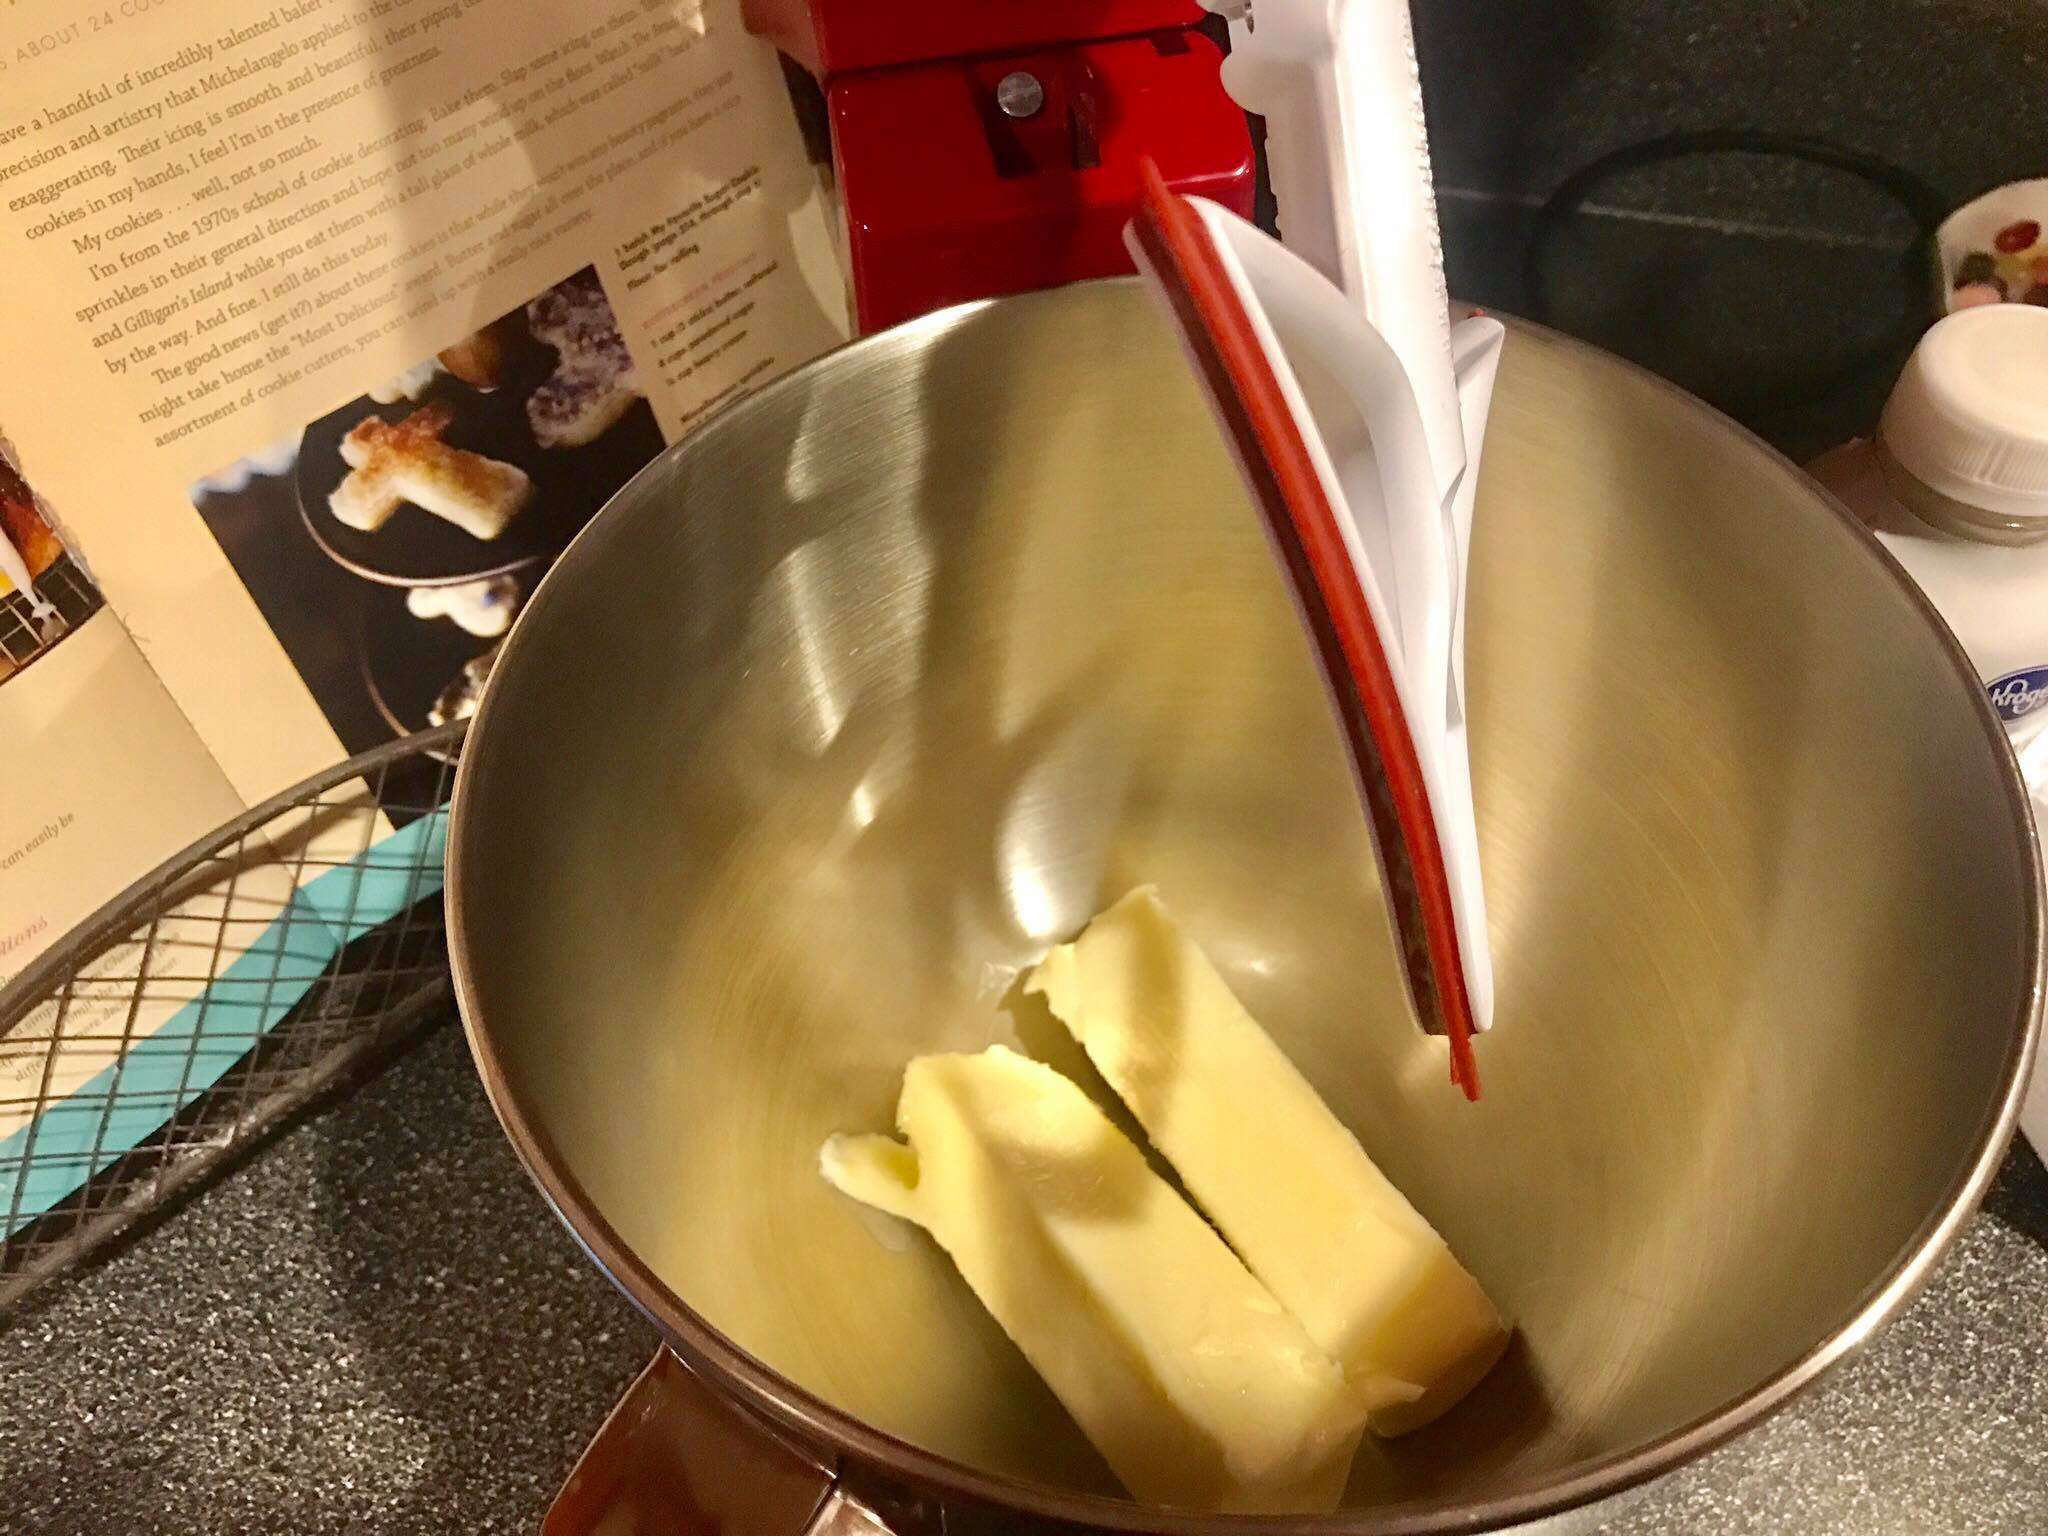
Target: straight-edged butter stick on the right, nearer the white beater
1289	1187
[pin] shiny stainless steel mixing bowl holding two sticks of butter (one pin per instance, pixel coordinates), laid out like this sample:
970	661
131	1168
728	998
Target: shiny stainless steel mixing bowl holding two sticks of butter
894	675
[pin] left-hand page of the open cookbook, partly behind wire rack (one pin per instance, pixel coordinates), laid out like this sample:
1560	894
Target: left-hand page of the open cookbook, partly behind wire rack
105	779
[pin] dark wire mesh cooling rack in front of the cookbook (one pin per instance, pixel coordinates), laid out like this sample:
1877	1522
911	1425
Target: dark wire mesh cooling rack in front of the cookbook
216	996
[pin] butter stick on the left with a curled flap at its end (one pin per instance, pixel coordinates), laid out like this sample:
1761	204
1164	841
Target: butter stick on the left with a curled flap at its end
1181	1367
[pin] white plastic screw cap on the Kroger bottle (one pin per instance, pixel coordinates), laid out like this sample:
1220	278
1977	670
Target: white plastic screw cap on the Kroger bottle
1969	417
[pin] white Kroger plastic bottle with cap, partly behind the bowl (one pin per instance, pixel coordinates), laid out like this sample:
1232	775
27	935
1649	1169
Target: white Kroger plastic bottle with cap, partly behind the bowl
1955	482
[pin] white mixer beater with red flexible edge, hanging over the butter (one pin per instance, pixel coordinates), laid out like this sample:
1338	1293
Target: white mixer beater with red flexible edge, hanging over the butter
1357	413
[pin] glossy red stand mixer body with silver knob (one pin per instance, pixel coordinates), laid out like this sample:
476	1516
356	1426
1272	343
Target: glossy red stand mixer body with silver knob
994	148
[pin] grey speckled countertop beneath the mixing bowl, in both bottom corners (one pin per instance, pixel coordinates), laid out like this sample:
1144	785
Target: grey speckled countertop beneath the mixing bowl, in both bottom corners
376	1326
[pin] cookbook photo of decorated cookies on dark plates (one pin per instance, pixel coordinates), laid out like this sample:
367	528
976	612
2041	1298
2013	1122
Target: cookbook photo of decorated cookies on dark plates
392	542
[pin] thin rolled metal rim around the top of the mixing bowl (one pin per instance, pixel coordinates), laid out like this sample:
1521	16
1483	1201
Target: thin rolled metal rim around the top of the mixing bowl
794	1408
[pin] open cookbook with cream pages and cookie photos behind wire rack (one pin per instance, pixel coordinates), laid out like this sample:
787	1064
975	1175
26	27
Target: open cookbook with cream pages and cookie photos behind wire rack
329	327
